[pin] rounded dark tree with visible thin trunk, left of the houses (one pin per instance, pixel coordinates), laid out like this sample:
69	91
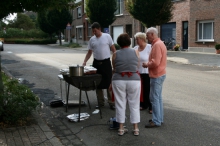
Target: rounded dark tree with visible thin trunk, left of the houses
59	19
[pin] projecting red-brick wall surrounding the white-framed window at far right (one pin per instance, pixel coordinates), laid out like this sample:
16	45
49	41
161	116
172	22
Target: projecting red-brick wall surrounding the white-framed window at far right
204	10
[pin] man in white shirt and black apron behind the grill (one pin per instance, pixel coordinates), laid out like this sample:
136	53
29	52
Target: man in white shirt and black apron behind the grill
100	45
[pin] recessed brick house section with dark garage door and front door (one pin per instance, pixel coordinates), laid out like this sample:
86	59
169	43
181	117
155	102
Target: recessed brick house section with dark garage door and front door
176	31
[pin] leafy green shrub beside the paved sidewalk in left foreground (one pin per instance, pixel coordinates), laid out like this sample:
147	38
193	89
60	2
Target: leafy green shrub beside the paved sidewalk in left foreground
16	103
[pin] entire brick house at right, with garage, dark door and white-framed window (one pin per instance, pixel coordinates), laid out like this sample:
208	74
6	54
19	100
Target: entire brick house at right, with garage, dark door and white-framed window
194	25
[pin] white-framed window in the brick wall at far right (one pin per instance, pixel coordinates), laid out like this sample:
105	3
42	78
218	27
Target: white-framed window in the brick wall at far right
205	30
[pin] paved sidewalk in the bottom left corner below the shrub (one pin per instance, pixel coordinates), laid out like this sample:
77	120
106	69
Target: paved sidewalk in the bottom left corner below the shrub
36	134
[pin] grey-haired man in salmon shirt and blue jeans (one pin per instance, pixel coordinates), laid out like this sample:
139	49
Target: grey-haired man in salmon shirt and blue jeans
157	72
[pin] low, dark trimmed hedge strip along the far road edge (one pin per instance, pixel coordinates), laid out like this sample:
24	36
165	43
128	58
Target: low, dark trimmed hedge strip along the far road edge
30	41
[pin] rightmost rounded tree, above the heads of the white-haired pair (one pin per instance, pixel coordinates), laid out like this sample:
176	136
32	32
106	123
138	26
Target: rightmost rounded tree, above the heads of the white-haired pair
151	12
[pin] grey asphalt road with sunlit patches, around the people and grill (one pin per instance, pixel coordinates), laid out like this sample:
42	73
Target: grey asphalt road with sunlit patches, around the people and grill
191	99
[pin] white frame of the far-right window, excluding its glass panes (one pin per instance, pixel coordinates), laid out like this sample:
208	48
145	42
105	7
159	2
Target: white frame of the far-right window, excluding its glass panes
198	31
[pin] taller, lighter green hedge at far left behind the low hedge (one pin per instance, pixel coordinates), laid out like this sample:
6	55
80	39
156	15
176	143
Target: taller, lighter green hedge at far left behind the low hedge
18	33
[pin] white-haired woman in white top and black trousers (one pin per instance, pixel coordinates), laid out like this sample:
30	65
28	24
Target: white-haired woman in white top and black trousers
144	50
